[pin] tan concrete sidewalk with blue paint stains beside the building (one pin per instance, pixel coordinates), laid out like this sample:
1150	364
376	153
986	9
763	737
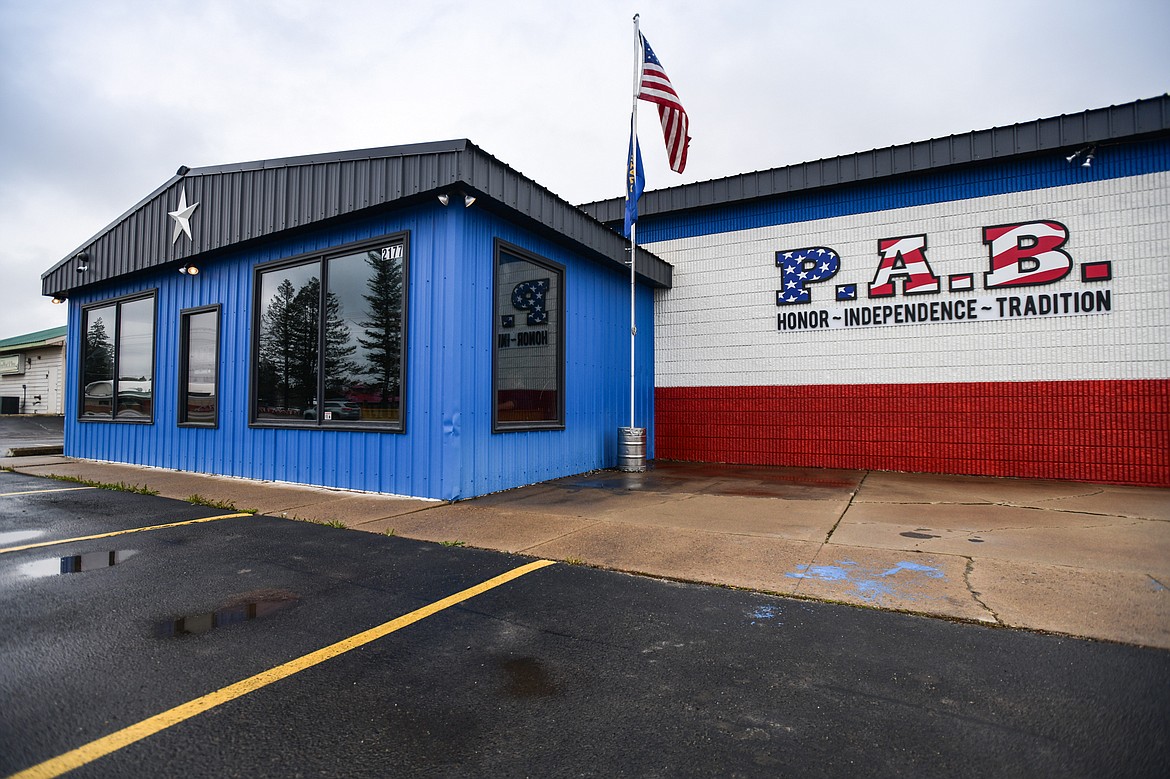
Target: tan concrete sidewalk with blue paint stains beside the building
1082	560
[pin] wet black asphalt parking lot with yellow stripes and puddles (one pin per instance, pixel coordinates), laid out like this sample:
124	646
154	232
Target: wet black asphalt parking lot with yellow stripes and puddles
243	646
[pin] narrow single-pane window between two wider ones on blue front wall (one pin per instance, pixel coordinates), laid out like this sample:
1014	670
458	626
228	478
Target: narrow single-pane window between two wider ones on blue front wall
199	368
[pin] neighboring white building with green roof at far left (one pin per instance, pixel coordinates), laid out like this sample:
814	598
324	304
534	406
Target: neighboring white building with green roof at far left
32	371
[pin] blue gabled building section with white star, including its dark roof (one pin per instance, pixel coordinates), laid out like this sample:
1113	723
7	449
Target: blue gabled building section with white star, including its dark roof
417	321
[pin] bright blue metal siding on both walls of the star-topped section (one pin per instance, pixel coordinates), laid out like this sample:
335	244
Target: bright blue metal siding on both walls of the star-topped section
449	450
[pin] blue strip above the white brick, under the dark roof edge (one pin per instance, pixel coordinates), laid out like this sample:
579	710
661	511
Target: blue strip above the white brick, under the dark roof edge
1001	178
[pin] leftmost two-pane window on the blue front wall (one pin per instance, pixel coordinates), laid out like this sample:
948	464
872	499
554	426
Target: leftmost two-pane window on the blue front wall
118	361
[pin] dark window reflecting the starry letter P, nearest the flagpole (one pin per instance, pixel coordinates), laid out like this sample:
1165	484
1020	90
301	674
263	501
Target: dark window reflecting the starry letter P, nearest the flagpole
528	370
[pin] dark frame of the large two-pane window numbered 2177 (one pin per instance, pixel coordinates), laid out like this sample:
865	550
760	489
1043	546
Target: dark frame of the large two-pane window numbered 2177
321	259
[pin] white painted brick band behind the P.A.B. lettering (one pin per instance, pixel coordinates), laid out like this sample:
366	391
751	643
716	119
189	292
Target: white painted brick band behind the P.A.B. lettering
718	327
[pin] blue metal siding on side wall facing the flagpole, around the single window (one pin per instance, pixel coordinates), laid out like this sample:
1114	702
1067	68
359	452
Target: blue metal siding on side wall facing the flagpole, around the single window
597	367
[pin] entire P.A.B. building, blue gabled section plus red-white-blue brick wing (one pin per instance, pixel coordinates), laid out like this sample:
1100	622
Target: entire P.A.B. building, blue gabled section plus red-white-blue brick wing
426	321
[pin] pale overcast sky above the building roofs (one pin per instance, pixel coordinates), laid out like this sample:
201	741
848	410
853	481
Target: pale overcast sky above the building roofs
101	102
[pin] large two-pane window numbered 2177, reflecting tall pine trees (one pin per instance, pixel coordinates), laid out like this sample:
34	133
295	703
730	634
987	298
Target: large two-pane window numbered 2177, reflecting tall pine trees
332	340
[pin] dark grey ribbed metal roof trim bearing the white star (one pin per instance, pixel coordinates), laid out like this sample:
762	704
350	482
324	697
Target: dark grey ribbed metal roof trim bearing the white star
256	201
